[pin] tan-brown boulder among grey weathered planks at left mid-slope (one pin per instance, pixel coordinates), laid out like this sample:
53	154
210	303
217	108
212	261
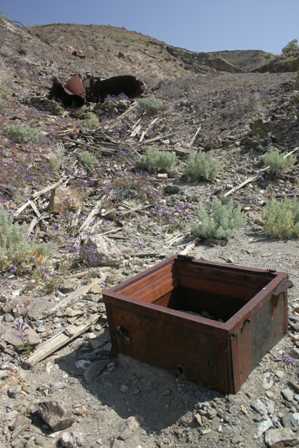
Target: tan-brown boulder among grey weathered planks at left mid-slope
64	199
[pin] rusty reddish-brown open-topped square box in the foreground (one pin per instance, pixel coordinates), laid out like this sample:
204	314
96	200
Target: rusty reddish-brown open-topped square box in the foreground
212	322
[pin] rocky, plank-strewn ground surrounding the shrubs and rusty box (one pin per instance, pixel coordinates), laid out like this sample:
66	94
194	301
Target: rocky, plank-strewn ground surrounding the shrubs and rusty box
79	395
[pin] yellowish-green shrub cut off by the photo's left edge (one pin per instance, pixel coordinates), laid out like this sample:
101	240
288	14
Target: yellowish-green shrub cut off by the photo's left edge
15	250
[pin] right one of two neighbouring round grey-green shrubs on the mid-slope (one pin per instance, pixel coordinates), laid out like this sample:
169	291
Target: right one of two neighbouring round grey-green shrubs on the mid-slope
201	166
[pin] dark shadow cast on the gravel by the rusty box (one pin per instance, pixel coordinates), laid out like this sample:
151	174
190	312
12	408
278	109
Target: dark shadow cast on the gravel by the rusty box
156	397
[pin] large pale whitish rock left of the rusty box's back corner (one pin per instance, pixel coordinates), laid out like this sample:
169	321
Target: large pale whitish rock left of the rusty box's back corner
97	250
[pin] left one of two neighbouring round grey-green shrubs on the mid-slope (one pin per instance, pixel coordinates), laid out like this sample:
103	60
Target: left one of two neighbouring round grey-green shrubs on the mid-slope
155	161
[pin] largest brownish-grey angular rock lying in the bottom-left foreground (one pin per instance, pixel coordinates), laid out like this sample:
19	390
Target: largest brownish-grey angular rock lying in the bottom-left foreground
54	415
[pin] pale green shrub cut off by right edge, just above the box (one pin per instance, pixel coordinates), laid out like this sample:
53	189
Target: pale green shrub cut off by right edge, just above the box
281	219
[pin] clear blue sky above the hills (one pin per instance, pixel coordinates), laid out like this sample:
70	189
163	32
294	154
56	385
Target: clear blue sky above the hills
198	25
